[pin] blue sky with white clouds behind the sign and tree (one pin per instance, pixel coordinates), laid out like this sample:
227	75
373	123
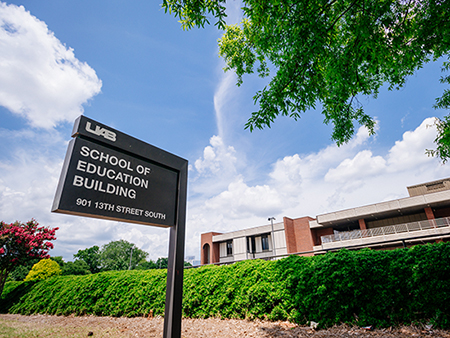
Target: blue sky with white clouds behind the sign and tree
131	66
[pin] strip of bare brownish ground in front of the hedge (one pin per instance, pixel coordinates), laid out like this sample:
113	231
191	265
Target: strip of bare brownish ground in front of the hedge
18	326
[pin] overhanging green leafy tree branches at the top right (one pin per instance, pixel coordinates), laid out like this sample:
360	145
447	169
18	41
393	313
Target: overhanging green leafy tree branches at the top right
328	53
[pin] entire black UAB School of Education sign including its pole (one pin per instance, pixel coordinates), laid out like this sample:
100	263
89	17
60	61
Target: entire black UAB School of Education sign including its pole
110	175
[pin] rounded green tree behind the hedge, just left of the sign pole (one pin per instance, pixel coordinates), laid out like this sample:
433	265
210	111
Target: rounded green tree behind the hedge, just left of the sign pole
116	255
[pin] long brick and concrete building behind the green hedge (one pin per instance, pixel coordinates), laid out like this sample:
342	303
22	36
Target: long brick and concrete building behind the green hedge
422	217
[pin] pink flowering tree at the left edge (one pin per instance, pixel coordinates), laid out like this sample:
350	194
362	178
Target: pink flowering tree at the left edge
20	242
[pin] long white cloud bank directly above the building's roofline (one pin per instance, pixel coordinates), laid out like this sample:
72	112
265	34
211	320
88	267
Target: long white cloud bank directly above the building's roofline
330	179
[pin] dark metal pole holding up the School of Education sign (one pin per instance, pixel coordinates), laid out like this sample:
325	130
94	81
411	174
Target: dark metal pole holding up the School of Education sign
175	267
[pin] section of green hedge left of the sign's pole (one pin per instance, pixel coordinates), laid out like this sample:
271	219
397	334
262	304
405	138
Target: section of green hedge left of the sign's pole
111	293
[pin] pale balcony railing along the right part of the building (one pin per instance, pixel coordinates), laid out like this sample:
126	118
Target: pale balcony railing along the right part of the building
389	230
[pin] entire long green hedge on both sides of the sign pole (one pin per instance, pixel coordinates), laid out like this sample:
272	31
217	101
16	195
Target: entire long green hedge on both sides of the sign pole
365	287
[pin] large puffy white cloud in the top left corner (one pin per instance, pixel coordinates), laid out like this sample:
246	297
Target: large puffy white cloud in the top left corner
40	78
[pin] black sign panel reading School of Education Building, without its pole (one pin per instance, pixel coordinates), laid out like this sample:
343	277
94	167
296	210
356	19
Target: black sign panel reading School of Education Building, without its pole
110	175
